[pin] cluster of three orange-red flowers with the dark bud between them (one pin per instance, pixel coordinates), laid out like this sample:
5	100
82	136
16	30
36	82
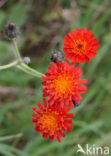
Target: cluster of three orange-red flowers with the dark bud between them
63	85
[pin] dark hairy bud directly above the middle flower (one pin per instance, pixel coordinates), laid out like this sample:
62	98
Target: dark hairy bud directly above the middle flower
56	56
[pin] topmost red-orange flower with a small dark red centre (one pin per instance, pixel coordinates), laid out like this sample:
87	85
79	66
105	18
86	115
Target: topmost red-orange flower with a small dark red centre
80	45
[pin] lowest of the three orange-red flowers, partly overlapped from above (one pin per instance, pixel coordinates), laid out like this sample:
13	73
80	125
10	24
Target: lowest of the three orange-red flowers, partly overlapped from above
51	121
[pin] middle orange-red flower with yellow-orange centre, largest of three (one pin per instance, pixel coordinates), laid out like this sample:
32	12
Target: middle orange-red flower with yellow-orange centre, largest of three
62	84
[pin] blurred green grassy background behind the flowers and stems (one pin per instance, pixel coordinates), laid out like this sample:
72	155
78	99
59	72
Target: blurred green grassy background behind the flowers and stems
43	25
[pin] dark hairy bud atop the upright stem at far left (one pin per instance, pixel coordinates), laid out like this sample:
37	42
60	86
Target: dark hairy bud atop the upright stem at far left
11	31
